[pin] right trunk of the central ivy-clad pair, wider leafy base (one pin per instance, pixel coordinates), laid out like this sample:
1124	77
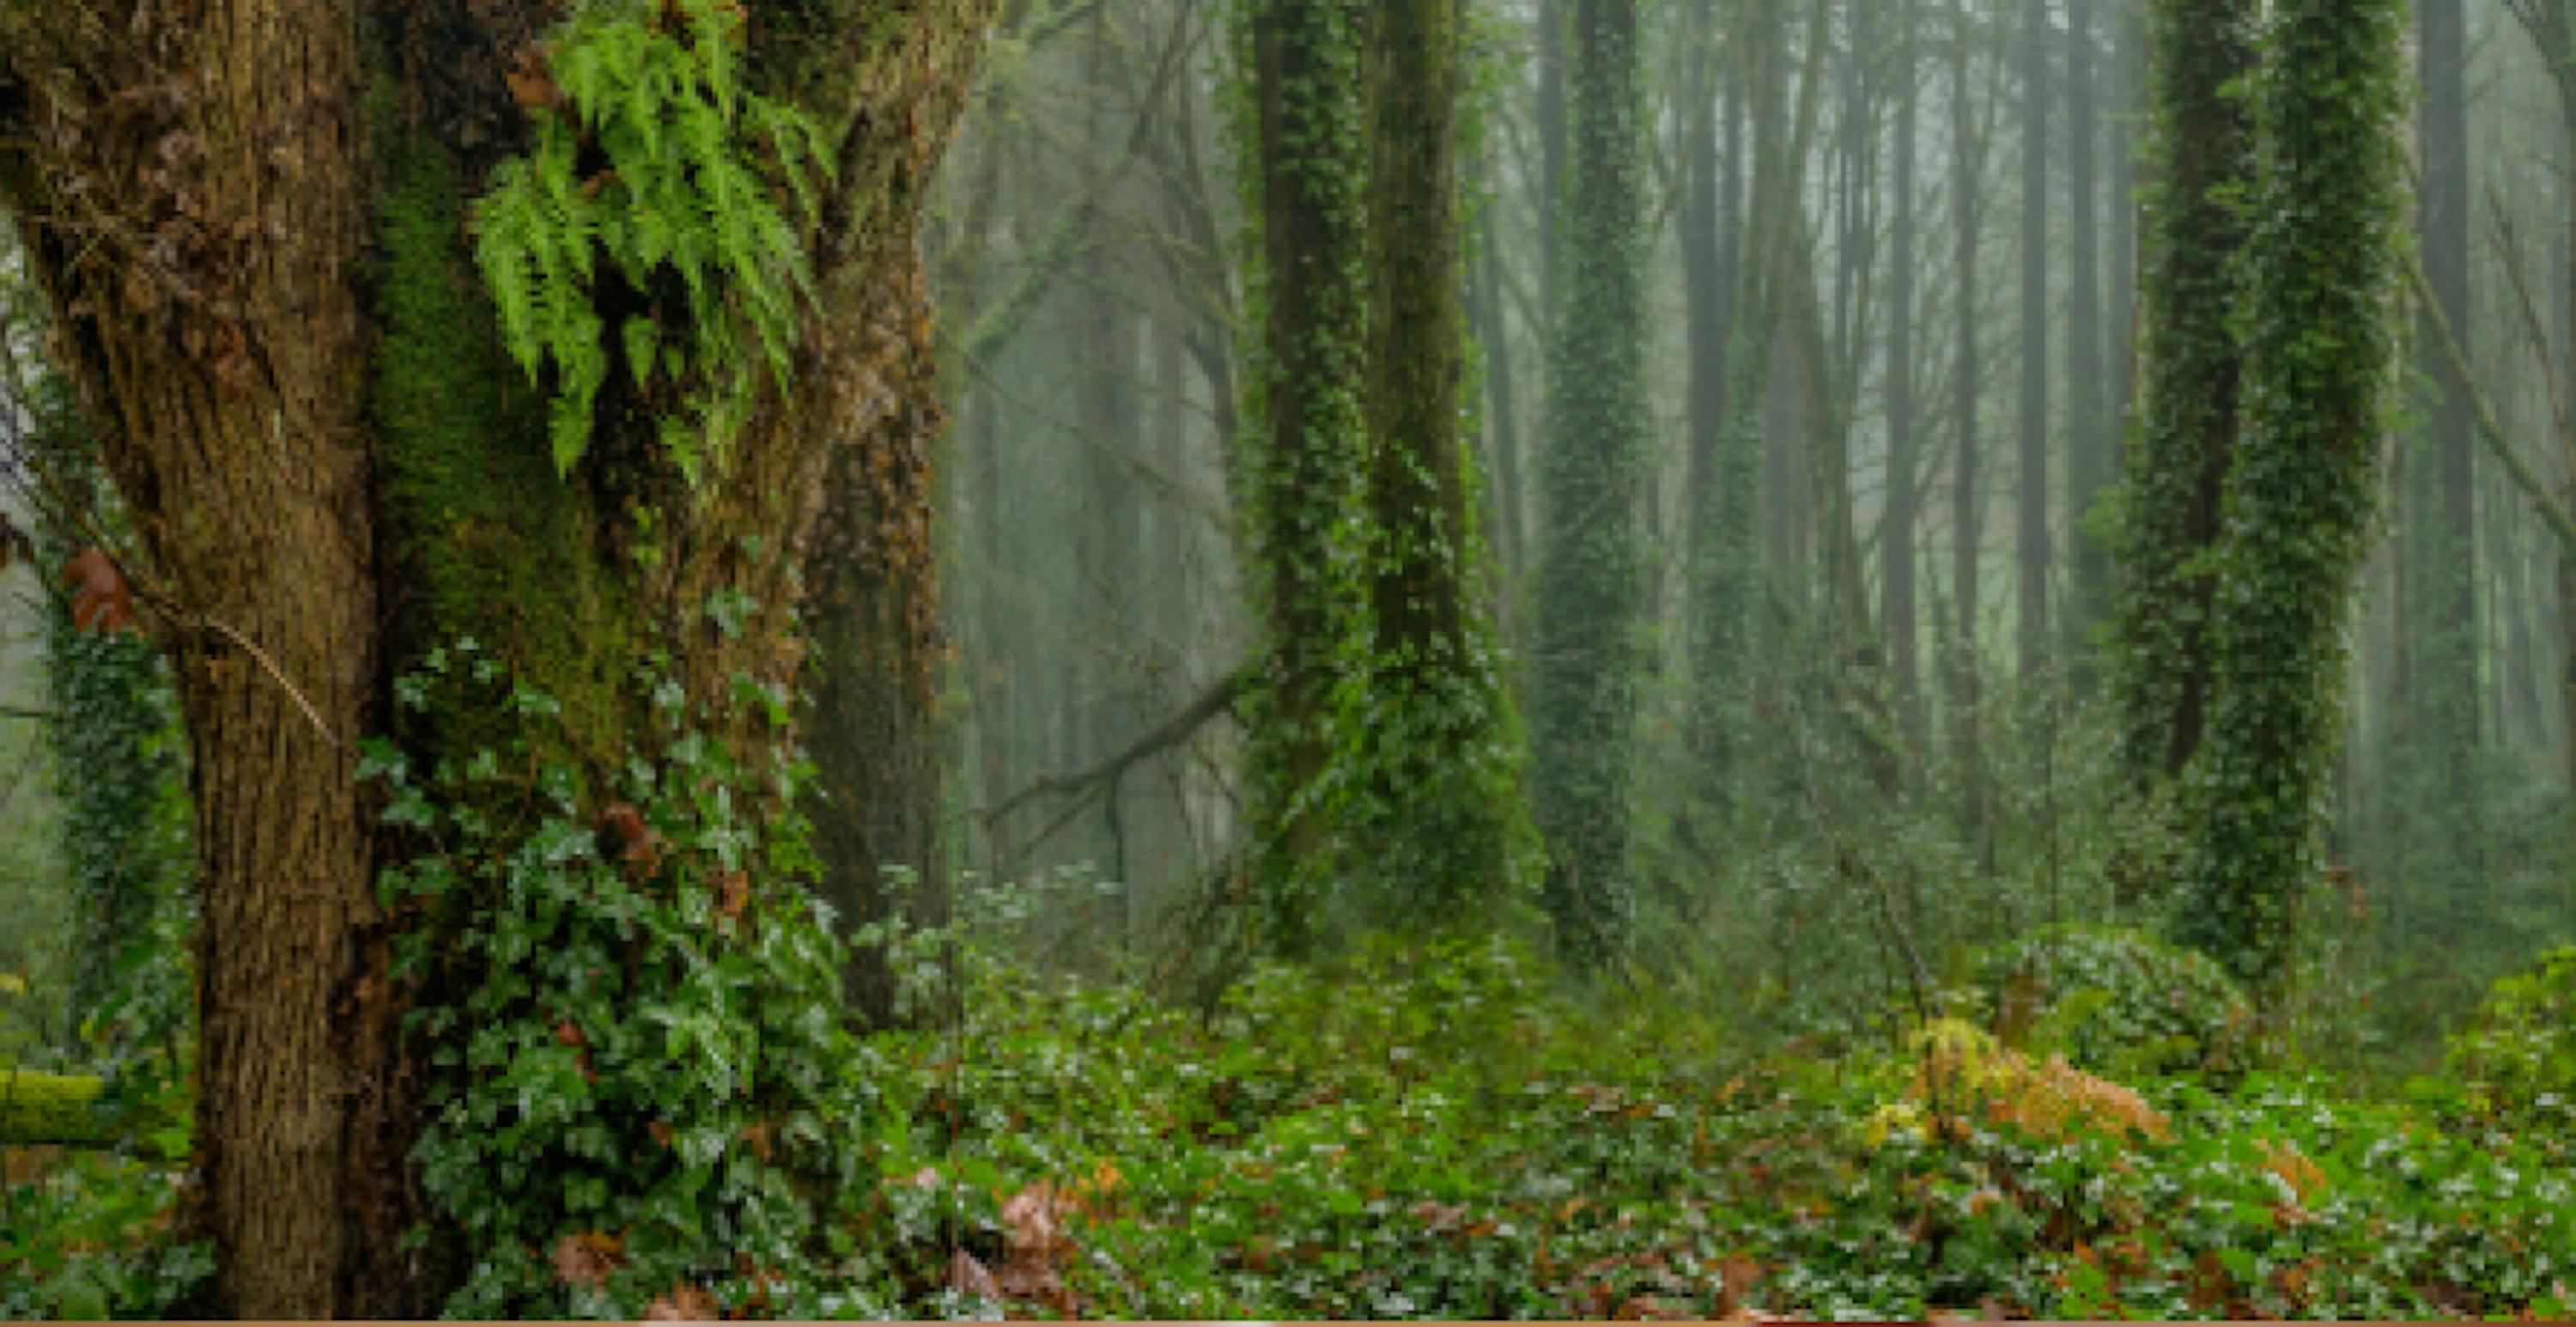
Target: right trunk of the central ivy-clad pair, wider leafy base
1444	810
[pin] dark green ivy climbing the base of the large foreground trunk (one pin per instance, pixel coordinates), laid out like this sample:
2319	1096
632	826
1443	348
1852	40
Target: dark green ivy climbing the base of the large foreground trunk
632	1011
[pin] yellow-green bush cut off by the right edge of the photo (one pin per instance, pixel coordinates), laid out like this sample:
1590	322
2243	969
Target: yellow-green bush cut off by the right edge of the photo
2518	1053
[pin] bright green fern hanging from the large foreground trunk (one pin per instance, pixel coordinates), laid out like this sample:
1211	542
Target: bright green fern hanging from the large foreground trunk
666	166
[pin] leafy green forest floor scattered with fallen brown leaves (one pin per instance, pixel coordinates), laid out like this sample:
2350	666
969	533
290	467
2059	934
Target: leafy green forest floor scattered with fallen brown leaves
1446	1135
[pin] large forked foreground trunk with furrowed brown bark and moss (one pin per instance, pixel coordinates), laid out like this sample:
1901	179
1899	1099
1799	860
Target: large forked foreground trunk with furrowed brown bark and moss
251	225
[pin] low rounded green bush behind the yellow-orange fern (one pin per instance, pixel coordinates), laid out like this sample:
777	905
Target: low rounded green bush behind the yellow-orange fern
2116	1001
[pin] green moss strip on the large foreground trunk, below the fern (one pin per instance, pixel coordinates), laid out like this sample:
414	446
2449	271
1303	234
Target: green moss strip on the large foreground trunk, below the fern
486	535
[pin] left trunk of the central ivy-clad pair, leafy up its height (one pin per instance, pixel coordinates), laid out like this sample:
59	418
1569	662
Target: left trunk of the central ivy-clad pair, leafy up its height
1307	463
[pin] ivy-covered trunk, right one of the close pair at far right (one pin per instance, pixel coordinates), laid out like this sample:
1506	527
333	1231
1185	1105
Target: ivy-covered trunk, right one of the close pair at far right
2322	341
